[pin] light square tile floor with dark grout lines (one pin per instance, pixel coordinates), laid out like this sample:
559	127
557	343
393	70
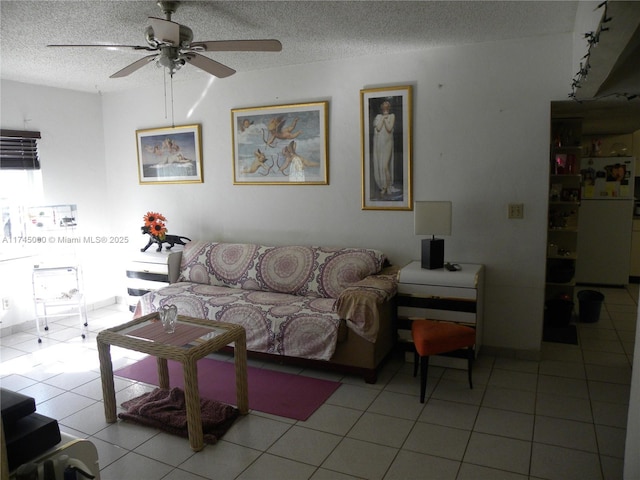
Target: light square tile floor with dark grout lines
563	417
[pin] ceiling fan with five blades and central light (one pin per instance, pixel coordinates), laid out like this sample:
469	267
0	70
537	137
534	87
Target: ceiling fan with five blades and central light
175	48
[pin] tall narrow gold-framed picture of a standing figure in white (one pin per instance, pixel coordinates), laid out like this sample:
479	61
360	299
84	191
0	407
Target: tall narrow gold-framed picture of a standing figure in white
386	125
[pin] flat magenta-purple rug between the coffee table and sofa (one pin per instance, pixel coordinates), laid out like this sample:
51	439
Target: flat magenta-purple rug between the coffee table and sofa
277	393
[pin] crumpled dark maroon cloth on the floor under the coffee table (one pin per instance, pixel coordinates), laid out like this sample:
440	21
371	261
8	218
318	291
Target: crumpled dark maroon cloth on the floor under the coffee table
167	411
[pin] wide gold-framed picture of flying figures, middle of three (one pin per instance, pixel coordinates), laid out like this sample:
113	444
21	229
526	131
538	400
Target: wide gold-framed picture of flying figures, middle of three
280	145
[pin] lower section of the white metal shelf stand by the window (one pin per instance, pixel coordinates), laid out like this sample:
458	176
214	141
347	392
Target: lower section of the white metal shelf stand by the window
58	292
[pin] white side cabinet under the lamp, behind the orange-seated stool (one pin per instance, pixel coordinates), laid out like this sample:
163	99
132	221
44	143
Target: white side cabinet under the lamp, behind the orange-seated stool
440	294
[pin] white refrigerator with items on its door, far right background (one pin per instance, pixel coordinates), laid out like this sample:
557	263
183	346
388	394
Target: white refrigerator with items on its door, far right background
605	221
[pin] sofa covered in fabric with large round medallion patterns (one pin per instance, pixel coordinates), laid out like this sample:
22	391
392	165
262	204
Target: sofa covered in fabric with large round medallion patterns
309	305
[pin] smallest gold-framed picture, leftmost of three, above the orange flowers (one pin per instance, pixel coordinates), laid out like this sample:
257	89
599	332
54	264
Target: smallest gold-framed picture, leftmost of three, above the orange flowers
170	155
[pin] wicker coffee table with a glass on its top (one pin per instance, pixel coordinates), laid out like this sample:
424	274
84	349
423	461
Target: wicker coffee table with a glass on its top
193	339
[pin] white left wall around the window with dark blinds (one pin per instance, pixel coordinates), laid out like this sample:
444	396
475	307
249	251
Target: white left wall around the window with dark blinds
73	169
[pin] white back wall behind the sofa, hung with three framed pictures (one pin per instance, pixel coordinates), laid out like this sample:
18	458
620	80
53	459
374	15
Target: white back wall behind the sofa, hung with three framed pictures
481	136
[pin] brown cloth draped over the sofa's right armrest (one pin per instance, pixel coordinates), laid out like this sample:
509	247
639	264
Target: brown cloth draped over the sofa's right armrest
359	303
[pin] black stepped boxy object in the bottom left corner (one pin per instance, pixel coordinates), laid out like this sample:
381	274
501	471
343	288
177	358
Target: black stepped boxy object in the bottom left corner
27	433
